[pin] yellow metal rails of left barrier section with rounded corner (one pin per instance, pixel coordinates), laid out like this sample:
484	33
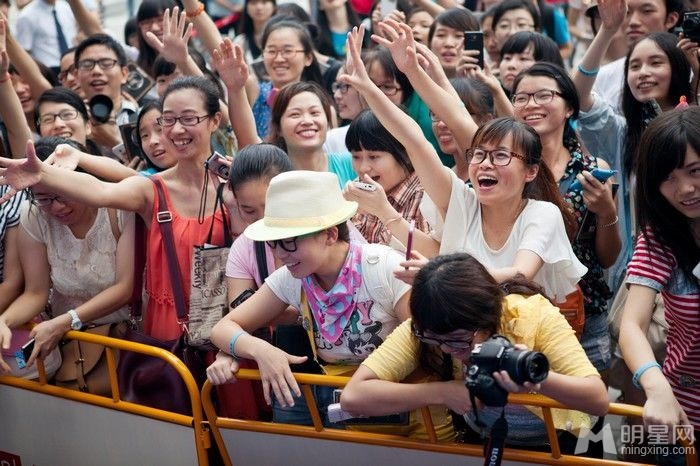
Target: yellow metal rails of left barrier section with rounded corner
195	421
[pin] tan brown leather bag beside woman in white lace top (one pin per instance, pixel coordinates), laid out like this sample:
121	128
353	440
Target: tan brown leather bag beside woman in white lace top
84	365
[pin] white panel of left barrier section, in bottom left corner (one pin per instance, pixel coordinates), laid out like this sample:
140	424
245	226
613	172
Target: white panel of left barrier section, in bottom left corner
44	430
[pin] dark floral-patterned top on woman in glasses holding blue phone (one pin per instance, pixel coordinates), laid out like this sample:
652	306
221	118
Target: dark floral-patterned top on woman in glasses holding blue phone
595	290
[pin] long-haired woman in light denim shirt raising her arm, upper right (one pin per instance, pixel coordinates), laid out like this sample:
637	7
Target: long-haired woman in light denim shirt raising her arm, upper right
657	74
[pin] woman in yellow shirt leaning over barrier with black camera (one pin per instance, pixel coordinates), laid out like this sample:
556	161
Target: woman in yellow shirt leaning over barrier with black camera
455	305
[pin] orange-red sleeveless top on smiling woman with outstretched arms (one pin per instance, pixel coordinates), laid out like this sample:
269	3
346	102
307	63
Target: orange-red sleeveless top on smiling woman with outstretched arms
161	317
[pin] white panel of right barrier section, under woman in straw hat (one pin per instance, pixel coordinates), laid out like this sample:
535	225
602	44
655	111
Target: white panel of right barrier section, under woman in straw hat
254	449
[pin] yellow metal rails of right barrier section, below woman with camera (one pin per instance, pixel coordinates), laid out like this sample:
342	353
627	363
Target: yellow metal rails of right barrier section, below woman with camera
217	423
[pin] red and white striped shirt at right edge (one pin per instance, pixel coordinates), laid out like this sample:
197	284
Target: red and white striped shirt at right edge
654	265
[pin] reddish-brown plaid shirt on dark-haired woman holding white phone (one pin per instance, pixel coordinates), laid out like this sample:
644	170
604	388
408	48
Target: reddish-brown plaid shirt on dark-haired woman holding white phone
405	198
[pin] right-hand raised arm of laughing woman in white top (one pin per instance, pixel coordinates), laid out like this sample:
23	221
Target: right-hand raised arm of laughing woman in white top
398	38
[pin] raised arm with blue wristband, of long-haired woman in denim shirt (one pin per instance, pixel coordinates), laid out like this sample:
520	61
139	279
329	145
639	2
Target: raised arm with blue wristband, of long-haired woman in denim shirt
612	13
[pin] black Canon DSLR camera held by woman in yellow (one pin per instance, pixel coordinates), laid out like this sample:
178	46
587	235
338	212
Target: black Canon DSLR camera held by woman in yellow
496	354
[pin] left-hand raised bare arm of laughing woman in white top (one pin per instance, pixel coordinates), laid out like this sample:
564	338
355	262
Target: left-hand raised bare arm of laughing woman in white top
433	175
